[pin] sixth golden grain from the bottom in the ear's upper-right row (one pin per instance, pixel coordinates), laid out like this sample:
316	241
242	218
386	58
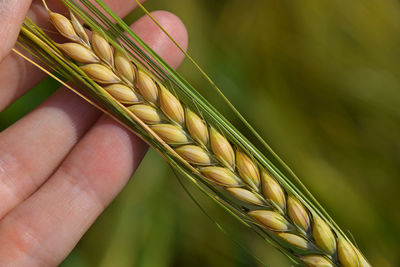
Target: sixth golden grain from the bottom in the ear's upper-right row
222	149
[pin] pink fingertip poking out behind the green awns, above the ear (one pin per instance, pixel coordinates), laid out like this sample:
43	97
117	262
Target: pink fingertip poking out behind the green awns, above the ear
152	35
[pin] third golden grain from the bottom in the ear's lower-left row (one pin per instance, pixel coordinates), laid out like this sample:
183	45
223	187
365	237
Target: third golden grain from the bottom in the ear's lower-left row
270	219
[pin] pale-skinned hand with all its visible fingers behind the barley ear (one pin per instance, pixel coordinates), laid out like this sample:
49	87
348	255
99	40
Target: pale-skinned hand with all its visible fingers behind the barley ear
63	163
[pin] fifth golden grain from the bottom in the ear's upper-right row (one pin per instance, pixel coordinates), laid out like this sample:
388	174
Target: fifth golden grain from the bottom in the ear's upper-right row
248	170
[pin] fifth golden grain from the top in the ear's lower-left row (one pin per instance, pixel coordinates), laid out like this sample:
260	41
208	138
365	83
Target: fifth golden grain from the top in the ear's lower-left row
171	134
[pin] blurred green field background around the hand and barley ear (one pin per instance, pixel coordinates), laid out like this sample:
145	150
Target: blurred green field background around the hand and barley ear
320	81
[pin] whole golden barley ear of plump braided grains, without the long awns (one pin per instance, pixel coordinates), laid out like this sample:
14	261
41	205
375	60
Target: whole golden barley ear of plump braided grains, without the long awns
206	149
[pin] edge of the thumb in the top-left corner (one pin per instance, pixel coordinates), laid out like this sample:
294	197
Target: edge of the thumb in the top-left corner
12	14
